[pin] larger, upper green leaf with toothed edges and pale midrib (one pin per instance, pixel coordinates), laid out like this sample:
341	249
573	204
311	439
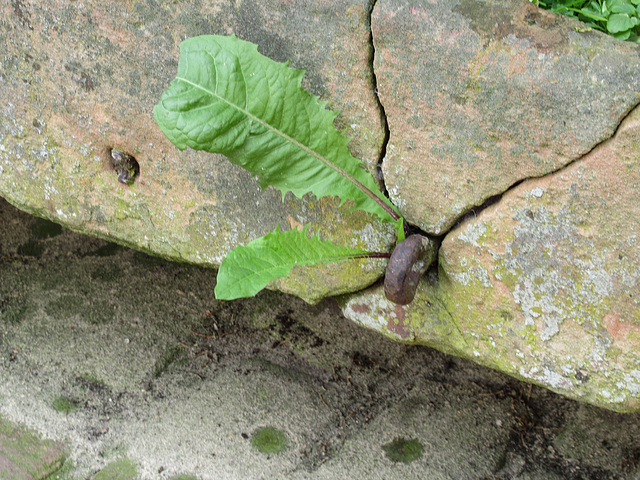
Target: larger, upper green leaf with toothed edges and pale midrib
229	99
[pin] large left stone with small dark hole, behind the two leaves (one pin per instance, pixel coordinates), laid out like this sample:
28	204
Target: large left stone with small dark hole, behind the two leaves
78	79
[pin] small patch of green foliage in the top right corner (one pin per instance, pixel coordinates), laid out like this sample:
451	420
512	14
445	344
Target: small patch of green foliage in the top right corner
620	18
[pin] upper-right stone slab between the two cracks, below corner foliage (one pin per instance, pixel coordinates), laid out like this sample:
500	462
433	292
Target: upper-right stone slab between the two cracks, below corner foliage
482	94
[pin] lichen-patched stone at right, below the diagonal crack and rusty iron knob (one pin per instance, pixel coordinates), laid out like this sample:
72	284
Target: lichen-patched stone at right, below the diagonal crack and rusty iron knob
543	285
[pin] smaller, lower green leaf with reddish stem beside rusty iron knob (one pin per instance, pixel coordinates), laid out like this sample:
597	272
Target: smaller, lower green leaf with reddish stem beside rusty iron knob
247	270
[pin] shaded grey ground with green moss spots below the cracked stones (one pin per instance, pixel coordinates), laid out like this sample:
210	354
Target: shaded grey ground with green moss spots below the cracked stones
118	365
